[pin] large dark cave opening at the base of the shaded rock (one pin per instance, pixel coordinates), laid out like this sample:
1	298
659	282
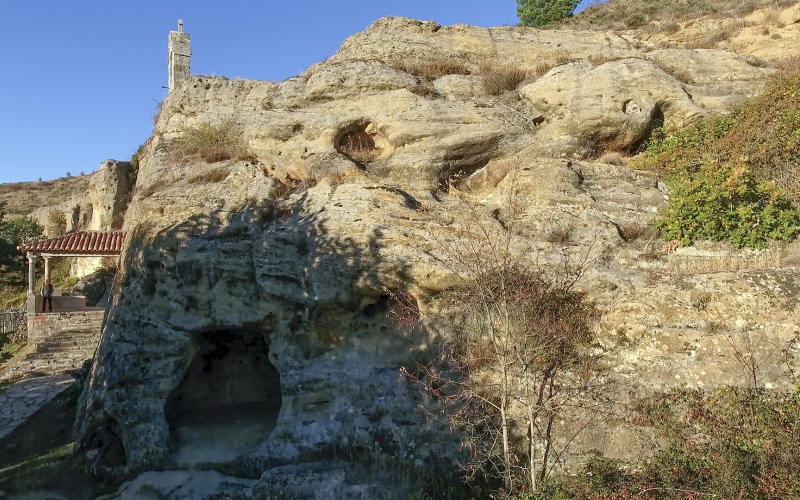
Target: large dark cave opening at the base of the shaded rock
228	400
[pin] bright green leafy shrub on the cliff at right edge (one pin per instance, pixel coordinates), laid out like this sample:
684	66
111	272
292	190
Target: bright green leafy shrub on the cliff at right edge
720	202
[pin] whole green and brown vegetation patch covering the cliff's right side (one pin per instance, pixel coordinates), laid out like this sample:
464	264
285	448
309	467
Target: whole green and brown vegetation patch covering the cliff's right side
734	177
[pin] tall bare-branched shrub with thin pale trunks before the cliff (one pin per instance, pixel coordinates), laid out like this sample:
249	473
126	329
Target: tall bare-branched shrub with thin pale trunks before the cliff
518	355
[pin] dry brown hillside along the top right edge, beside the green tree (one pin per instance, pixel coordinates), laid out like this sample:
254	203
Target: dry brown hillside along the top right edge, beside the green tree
632	14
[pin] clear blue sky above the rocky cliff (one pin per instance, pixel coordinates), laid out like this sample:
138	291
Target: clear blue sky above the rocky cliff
81	79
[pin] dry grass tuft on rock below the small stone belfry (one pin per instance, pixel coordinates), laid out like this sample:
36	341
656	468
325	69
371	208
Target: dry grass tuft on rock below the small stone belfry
212	143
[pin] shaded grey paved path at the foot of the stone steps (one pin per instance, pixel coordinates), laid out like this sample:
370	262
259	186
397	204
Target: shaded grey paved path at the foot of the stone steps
21	400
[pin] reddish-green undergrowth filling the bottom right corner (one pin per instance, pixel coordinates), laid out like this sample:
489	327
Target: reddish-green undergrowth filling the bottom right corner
731	443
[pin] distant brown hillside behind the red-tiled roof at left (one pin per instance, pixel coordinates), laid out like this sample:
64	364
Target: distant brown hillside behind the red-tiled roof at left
24	197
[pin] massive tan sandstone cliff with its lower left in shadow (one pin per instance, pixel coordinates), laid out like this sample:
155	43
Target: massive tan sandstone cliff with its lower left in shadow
290	255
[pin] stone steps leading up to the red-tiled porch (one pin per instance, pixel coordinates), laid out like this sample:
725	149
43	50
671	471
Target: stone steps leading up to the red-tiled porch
63	351
